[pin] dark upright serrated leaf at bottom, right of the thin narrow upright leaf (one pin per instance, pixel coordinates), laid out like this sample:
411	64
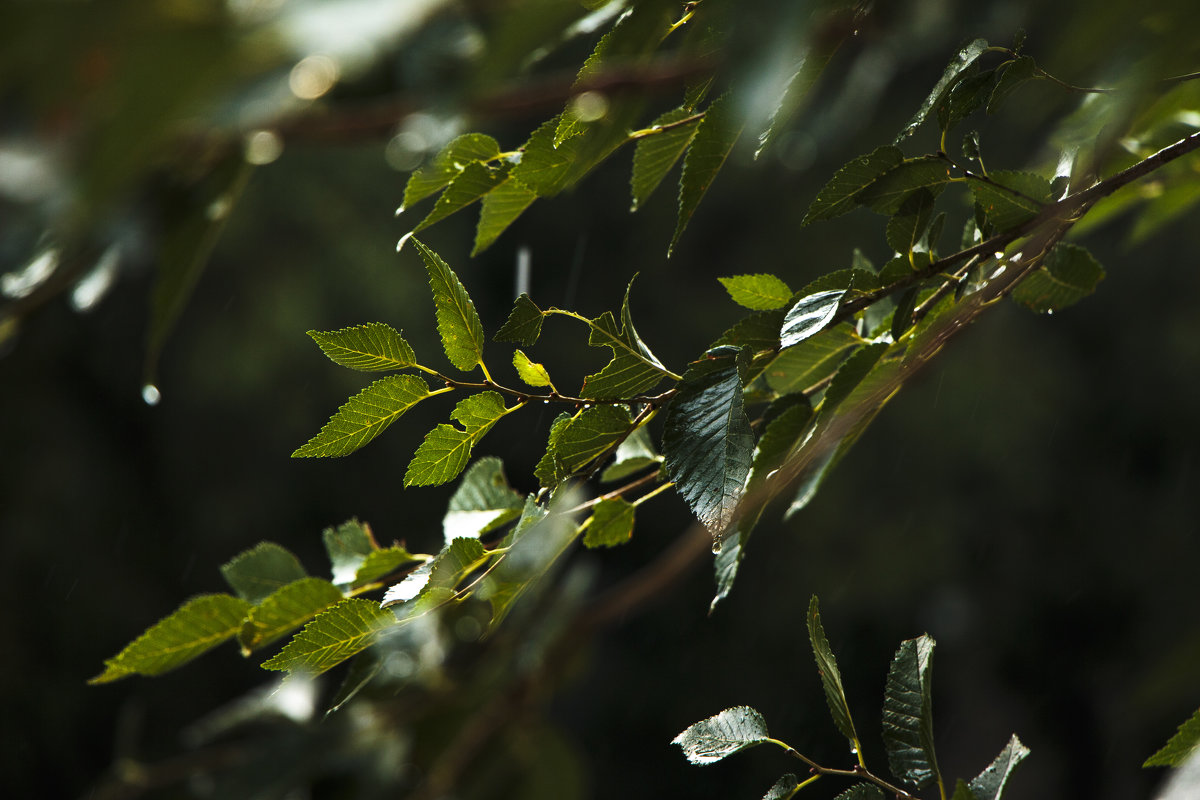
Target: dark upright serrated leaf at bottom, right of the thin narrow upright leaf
908	715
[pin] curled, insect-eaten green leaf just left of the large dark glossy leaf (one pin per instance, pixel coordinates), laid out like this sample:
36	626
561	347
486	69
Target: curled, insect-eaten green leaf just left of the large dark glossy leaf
633	369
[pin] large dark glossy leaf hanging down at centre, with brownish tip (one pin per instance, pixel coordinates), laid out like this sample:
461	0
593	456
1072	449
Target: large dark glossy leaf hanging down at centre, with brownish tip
707	441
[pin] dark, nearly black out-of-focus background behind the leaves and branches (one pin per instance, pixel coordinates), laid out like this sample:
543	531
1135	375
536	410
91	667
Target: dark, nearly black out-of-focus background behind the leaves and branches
1031	501
